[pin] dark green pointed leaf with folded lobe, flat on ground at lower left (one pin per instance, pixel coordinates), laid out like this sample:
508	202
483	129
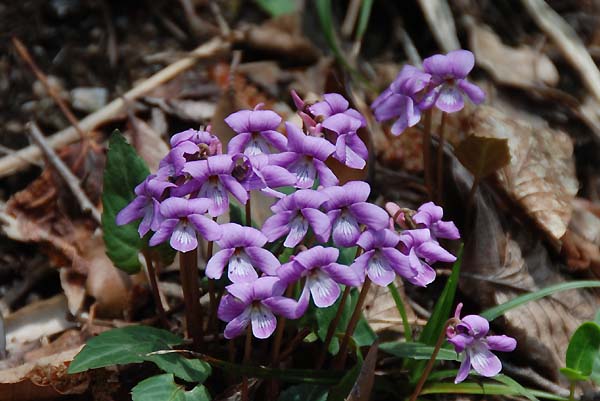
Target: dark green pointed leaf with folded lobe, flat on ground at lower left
135	344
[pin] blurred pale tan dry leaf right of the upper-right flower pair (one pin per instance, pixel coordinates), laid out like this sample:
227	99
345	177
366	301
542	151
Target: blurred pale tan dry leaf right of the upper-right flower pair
522	66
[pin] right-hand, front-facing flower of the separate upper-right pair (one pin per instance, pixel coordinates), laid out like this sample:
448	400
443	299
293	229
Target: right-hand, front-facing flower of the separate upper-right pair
449	81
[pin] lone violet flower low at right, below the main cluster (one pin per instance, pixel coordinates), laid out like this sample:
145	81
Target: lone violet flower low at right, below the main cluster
470	339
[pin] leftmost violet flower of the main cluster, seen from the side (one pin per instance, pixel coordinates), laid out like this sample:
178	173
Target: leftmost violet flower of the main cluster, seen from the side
144	206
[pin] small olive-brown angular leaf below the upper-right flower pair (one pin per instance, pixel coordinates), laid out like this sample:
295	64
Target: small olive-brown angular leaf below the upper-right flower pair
482	155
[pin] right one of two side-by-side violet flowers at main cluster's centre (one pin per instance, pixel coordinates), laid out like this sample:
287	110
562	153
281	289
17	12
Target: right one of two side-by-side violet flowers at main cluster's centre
347	208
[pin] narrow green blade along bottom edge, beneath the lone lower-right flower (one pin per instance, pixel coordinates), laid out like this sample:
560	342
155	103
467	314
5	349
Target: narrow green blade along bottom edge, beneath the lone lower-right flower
484	389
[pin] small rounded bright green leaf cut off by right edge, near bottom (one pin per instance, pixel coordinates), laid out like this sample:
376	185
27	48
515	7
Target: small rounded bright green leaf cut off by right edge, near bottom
584	348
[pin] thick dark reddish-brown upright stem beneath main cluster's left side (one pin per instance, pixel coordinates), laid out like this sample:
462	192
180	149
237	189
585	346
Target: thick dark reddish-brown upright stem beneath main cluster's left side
191	295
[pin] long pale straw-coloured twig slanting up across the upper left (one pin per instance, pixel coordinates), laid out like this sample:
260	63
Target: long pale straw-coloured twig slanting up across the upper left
17	161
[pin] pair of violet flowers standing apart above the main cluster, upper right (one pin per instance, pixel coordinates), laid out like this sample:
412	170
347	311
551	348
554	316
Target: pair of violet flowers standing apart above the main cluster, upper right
442	84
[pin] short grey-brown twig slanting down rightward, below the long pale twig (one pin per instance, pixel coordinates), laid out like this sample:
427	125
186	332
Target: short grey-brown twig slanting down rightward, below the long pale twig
70	179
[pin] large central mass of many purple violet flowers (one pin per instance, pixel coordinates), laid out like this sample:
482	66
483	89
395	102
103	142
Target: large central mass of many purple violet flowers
196	181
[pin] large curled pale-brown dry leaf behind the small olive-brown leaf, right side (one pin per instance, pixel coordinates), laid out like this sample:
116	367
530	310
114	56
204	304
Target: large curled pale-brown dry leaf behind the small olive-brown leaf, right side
541	173
